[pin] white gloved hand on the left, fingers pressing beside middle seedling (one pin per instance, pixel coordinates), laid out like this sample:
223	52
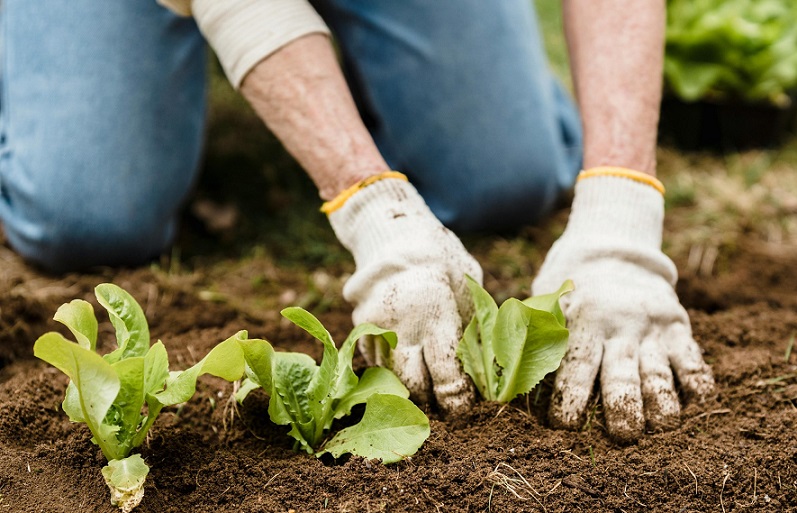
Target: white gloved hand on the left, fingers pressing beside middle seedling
410	278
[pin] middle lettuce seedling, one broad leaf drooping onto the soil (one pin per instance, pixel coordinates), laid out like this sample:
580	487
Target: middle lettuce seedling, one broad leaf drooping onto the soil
308	397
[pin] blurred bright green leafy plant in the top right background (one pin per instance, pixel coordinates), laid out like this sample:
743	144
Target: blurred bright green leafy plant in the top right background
731	50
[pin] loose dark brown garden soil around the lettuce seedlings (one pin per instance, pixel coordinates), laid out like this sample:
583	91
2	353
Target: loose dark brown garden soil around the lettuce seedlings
736	452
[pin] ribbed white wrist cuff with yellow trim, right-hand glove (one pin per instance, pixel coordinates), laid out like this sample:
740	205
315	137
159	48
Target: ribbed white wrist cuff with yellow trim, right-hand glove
617	208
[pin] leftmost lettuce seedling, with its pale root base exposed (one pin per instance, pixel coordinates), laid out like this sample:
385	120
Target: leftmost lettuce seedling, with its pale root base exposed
120	394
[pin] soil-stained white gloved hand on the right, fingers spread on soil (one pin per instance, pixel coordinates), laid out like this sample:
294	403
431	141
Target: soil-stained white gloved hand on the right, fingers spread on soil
624	316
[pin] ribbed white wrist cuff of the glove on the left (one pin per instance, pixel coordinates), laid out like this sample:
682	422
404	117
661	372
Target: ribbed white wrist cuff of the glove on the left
383	213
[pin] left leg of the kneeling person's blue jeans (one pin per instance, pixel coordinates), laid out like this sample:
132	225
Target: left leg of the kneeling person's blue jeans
102	114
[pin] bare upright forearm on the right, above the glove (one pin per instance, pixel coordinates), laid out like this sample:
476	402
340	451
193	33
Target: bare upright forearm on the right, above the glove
616	53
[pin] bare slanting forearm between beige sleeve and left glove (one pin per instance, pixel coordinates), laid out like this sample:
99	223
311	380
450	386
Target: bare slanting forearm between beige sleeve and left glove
301	95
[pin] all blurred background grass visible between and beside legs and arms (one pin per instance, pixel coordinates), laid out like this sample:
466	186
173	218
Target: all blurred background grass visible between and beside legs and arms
712	200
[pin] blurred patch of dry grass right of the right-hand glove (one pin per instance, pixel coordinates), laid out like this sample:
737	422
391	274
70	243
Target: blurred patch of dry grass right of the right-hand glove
715	201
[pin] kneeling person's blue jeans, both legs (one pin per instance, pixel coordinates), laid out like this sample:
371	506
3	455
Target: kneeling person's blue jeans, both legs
102	115
